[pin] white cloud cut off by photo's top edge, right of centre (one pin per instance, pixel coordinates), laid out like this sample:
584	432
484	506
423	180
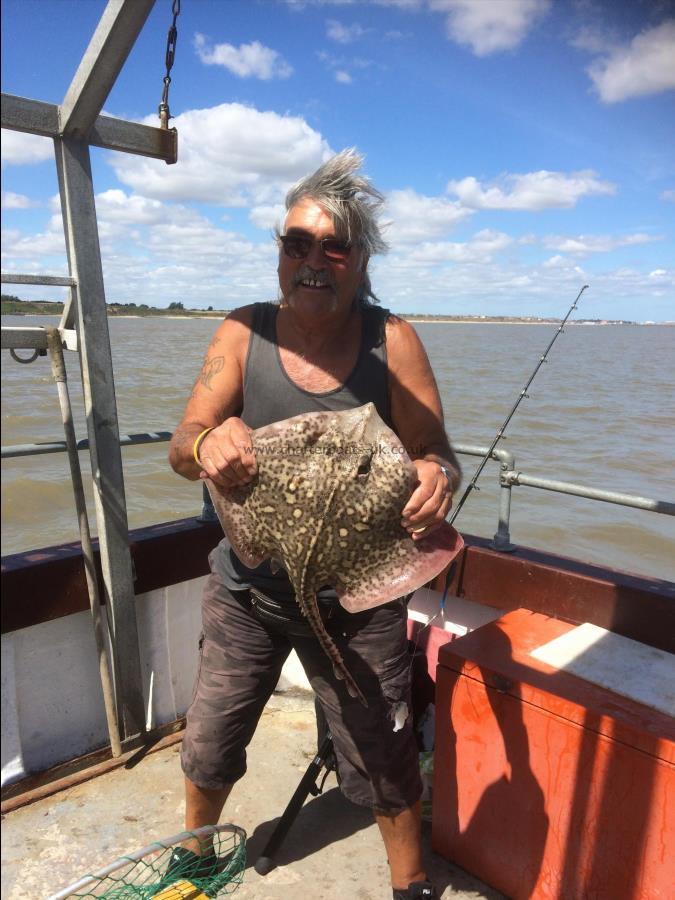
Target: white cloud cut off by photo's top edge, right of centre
490	27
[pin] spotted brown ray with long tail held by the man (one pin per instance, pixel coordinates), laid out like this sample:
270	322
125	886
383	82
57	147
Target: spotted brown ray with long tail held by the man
326	506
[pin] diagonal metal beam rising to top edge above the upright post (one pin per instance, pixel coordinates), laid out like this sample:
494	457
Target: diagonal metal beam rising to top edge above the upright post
115	35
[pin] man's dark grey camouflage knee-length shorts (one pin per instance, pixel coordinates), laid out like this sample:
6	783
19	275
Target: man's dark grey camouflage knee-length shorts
240	664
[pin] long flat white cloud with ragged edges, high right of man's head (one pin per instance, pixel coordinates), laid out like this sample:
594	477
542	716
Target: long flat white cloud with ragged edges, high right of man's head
531	191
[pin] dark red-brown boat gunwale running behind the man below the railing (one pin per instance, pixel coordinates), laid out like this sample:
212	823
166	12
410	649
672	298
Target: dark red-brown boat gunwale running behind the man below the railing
171	552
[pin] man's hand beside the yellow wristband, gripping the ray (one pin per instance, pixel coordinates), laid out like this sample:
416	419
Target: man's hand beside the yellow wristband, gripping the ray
226	455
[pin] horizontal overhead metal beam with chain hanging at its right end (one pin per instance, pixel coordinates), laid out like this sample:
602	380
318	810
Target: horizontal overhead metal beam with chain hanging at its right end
36	117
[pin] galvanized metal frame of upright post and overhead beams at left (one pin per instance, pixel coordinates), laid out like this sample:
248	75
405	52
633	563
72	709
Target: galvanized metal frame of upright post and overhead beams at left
74	125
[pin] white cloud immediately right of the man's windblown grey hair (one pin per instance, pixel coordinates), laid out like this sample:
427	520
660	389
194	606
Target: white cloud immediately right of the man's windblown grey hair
416	217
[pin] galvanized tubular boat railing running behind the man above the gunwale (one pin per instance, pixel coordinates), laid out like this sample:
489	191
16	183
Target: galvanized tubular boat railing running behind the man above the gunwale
509	477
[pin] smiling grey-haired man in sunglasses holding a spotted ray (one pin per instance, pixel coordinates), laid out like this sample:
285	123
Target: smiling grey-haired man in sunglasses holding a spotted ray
325	345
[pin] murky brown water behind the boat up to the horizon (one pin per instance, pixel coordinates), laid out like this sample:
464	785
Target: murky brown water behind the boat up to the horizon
601	413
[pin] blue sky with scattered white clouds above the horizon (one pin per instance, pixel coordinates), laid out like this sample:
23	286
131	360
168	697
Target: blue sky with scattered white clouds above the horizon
525	148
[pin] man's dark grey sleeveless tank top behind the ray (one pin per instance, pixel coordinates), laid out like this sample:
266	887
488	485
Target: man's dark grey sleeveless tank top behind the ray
271	396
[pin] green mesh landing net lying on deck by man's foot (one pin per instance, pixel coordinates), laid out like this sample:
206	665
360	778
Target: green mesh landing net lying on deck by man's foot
165	871
